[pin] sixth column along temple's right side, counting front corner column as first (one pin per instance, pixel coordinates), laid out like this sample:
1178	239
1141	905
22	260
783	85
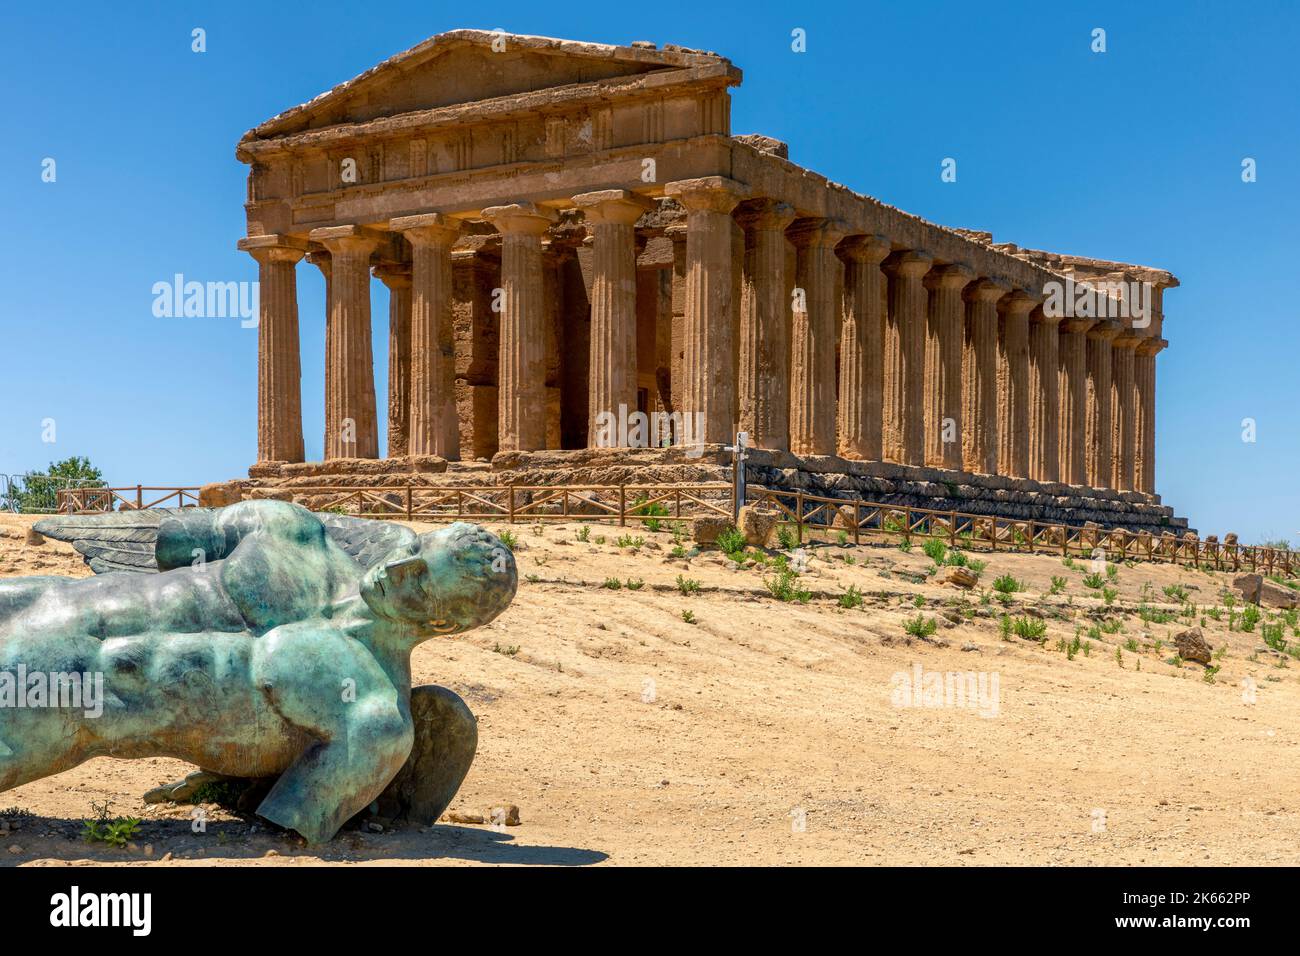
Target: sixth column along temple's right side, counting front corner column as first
946	319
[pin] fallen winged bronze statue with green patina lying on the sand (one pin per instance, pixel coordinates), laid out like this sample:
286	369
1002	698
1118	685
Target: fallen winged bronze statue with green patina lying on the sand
270	643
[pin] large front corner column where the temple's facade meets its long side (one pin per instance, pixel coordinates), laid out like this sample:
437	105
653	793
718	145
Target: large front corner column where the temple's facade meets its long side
709	390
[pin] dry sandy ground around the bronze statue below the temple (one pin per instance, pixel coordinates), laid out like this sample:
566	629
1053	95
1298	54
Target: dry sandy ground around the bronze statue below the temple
770	733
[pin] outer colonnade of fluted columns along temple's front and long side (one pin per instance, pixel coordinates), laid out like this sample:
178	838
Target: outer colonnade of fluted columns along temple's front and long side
937	366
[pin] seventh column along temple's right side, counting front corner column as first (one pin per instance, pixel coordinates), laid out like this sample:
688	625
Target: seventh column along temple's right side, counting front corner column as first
980	377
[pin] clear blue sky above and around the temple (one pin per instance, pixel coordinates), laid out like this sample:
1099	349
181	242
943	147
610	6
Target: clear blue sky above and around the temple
1134	154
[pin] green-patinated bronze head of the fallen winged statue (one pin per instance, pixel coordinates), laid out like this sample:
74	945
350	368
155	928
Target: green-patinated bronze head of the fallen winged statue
450	581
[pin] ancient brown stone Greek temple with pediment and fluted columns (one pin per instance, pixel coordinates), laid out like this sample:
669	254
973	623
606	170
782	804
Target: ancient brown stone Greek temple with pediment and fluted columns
571	231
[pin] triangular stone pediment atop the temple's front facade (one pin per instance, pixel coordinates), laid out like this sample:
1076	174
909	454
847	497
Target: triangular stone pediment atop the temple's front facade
469	67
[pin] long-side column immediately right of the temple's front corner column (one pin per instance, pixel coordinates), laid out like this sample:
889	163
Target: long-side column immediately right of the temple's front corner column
765	334
